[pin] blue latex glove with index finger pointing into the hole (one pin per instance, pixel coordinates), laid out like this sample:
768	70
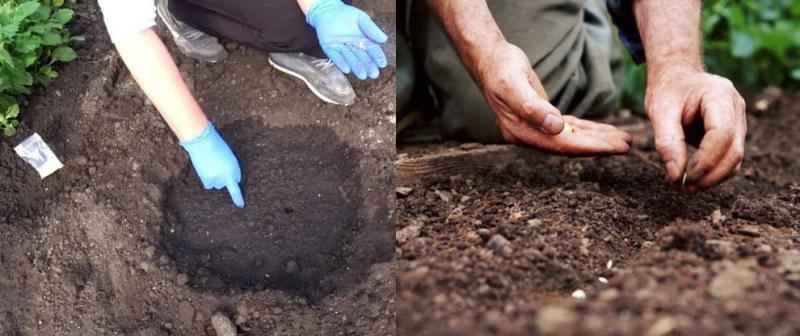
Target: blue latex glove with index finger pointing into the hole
215	164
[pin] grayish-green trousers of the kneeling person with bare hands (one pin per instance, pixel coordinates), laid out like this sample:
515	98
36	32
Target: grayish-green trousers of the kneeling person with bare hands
571	47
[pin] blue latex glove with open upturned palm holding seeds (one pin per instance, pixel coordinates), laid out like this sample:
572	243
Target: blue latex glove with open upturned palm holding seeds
349	37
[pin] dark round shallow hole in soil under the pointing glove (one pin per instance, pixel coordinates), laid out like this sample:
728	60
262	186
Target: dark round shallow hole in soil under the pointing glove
302	196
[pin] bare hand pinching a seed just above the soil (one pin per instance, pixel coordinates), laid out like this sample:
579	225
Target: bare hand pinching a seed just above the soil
679	96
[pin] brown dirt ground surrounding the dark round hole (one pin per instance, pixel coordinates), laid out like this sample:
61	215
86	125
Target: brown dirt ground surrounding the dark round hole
87	251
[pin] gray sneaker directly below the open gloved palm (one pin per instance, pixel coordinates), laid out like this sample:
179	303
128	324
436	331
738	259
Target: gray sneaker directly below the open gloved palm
320	75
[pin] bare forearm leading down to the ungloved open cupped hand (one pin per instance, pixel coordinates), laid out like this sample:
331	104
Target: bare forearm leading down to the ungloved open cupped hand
471	26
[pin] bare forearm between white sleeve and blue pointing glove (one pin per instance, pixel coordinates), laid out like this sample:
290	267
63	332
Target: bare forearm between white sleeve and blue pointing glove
154	69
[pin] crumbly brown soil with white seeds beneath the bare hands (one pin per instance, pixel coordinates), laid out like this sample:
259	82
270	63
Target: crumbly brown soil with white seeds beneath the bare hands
502	250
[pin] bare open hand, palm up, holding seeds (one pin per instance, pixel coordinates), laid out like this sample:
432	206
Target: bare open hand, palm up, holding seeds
525	116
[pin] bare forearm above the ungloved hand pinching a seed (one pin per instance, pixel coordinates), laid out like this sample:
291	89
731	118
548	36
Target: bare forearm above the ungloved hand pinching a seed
670	31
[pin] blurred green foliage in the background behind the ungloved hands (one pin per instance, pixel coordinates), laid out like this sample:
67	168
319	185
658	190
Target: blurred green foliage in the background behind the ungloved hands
754	43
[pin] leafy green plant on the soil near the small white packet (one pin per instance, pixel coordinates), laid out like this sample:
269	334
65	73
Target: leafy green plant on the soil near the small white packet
33	36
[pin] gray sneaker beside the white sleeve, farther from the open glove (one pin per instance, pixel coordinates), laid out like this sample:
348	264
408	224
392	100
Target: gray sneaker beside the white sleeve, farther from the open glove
190	41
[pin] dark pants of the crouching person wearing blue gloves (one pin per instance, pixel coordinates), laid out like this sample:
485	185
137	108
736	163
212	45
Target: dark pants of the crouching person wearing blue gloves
268	25
